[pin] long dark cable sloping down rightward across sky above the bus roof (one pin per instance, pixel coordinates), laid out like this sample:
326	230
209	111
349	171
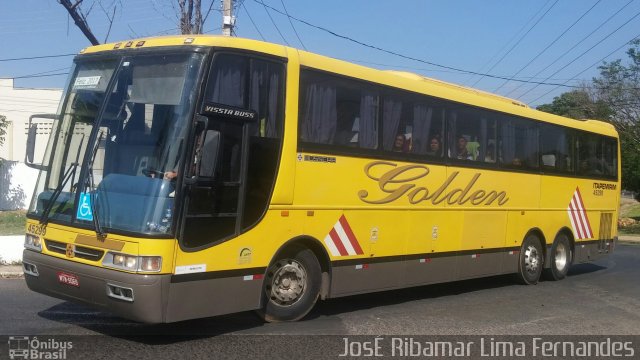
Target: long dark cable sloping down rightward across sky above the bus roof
390	52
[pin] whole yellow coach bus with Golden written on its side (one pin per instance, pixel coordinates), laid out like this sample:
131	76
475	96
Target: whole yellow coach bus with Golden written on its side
193	176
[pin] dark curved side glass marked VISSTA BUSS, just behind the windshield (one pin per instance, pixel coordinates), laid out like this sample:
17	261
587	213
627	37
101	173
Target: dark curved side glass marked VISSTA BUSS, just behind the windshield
238	151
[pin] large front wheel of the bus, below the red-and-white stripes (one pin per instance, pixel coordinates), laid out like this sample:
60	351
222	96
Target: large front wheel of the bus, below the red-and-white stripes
291	286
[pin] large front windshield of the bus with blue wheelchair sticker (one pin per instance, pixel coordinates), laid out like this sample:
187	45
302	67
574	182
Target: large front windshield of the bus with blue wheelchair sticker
119	144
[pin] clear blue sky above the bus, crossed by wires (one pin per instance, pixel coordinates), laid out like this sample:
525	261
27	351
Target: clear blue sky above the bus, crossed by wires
548	41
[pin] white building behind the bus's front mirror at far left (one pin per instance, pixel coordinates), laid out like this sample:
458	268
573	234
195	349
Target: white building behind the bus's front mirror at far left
18	104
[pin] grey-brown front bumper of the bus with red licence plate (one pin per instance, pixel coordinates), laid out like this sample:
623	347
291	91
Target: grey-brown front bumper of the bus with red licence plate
150	292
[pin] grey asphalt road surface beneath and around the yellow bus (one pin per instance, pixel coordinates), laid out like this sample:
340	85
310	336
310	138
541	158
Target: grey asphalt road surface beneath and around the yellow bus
600	298
